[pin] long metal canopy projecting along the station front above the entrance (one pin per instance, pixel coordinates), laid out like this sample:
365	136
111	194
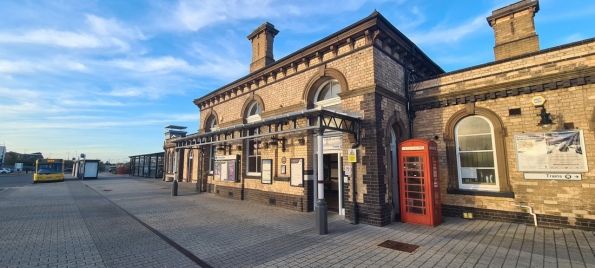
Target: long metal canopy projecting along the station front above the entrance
287	123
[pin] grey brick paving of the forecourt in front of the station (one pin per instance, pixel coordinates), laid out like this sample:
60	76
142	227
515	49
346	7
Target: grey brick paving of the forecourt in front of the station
89	223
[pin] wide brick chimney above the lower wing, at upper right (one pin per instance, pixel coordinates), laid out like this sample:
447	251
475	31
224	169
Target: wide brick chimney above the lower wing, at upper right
514	29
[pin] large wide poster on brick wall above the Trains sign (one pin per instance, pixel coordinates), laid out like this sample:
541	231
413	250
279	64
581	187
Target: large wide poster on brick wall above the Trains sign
556	151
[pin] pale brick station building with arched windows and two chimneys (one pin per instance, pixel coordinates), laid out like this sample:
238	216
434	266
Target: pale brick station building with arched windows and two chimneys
368	87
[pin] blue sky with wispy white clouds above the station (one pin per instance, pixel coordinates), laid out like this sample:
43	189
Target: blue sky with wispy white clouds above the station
105	77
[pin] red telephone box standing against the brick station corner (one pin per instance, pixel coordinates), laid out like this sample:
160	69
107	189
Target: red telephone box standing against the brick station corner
419	182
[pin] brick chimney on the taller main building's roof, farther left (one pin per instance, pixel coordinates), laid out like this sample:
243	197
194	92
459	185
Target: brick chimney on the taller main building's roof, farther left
262	46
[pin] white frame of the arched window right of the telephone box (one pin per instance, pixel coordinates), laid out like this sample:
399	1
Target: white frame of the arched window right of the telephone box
494	187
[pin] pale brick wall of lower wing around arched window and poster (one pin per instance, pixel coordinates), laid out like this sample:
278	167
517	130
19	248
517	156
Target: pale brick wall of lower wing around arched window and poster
570	95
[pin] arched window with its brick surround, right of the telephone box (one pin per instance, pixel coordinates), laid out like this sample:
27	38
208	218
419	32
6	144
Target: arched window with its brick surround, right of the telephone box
476	153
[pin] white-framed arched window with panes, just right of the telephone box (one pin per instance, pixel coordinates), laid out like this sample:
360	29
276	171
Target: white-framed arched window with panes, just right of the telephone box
476	154
